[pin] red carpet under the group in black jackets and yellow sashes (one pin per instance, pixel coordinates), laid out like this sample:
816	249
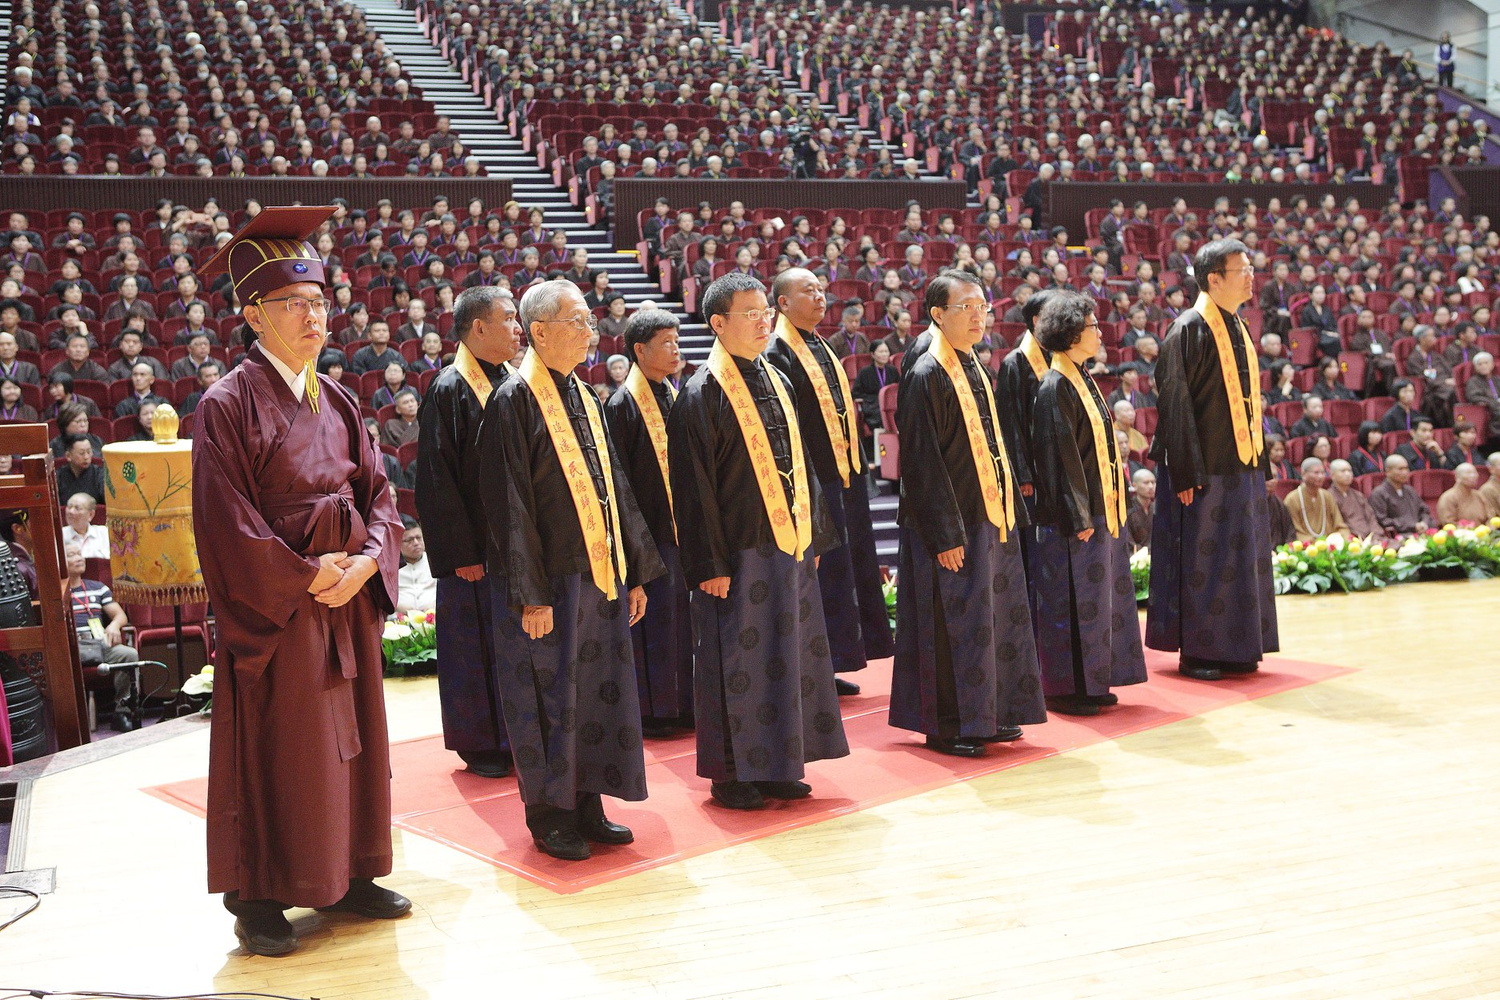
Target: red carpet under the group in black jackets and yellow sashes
482	818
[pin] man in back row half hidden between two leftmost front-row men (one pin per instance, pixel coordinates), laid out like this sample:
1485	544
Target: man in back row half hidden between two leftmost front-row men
637	418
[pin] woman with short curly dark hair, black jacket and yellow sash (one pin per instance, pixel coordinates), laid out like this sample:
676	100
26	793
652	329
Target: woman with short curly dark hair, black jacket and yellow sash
1088	633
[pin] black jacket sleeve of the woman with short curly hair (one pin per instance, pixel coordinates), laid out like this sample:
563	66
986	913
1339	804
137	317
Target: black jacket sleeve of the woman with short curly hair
1064	497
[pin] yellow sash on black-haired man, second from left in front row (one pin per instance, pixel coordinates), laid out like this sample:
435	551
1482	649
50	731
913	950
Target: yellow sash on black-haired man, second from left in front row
791	528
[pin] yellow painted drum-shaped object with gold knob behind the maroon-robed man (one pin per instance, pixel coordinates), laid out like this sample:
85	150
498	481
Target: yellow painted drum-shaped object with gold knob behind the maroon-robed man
154	557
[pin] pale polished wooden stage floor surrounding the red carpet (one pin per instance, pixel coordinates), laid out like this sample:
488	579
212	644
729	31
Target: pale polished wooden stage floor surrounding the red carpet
1337	842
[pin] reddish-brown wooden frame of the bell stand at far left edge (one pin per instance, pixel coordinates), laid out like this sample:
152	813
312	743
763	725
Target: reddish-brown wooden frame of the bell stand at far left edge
35	491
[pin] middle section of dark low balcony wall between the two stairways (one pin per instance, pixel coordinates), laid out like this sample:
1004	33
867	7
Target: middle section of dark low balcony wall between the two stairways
632	196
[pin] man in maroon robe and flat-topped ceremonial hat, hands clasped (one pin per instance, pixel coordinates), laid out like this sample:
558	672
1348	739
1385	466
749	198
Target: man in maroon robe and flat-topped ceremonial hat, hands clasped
301	575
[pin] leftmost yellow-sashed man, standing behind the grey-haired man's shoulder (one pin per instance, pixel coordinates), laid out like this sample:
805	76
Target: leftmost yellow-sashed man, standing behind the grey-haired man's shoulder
451	503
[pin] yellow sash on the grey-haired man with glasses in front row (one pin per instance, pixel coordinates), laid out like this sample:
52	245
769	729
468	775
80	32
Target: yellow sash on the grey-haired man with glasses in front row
598	534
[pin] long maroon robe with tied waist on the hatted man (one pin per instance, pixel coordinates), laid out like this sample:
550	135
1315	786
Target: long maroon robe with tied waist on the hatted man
299	767
